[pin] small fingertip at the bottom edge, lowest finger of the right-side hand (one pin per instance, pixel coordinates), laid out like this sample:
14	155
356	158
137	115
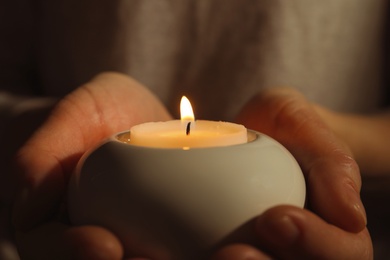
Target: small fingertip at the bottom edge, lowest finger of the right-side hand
240	252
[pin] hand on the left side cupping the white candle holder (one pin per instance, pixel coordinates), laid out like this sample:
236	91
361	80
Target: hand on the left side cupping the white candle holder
108	104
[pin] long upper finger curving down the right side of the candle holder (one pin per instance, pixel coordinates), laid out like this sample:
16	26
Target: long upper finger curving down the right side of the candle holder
332	175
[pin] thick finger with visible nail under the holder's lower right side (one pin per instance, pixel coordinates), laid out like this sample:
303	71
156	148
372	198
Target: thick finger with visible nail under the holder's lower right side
292	233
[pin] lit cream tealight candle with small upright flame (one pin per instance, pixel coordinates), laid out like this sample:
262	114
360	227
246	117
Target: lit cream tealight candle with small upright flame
187	133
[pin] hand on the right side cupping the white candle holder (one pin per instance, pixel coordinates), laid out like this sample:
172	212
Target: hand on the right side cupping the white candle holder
334	224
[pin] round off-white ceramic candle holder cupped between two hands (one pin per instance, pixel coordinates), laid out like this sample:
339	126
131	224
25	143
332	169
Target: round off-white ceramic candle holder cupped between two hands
182	203
